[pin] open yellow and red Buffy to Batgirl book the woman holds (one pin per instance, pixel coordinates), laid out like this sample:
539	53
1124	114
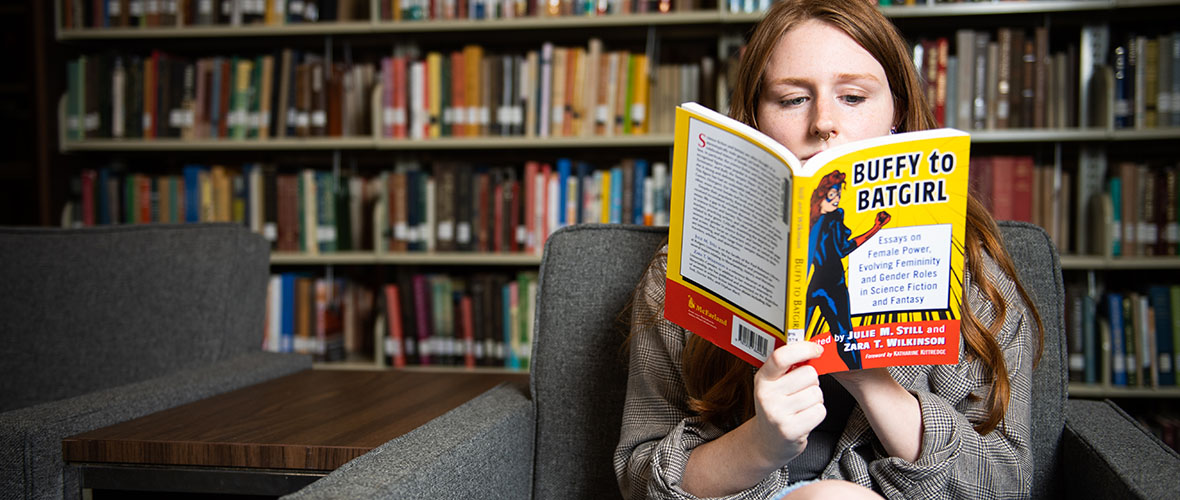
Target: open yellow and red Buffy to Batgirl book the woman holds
762	253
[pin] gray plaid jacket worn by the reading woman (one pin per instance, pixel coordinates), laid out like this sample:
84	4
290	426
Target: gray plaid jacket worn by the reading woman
659	431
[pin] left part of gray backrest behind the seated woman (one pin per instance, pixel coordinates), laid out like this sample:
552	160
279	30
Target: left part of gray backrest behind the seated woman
579	373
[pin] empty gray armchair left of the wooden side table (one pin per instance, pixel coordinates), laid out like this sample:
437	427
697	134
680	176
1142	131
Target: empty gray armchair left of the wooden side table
107	325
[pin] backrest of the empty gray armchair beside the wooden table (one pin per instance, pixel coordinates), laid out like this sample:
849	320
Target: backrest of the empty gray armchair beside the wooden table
88	310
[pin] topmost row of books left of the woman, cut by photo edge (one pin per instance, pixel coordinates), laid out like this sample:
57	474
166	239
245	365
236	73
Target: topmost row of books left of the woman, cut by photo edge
181	14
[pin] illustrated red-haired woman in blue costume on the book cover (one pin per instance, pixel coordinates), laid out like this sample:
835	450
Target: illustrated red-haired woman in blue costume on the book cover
830	242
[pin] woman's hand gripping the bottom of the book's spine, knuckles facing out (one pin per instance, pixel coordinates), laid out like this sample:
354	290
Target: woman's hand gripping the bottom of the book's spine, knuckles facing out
789	403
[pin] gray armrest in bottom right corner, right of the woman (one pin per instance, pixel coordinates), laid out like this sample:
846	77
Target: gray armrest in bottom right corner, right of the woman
1107	455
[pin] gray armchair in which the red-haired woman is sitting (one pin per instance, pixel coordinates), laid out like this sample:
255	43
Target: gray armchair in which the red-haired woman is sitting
559	442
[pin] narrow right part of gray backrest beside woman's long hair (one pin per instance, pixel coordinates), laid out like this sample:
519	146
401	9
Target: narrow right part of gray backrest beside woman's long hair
1040	272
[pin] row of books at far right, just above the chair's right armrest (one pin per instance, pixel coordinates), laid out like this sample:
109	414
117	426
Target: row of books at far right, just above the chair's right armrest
1124	339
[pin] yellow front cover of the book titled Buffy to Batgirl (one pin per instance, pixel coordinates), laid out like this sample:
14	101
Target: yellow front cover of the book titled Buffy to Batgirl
879	251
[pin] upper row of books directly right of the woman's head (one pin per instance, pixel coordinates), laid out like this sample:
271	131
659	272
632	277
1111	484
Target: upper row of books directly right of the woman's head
1011	80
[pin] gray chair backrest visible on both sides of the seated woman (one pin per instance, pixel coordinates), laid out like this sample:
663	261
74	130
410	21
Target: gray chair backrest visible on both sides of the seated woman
580	377
